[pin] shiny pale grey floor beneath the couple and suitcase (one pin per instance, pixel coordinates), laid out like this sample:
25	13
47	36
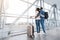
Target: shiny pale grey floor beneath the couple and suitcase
53	34
